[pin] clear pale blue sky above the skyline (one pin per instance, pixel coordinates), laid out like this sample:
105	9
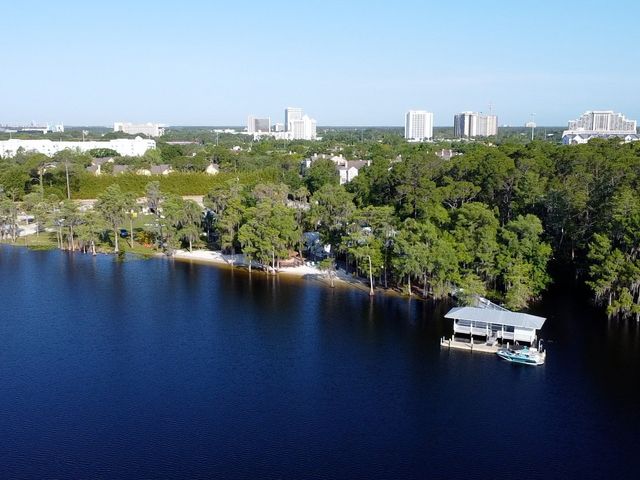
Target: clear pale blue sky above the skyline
345	63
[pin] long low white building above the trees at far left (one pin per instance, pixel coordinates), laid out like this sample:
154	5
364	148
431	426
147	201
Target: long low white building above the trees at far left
124	146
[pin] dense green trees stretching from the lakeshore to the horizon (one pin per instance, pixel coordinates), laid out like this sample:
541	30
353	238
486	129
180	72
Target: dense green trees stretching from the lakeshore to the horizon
487	221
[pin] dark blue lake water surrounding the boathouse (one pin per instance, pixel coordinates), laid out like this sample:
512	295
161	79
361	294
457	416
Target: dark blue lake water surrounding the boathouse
161	369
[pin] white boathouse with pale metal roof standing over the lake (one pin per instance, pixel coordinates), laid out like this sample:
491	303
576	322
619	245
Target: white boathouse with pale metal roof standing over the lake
495	324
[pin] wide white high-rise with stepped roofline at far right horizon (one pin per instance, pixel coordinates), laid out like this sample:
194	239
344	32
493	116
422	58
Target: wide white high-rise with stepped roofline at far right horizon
600	124
